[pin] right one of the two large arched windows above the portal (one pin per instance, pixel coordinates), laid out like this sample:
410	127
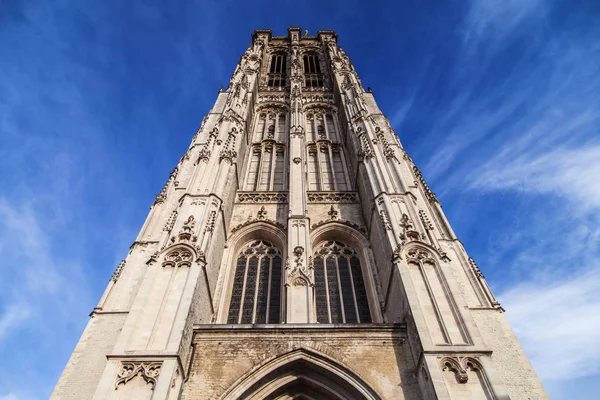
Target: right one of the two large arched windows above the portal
340	290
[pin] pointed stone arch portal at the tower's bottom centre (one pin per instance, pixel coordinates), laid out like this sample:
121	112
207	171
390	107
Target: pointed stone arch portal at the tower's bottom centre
300	375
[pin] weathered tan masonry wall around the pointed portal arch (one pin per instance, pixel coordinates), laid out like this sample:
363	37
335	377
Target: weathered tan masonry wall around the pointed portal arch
376	354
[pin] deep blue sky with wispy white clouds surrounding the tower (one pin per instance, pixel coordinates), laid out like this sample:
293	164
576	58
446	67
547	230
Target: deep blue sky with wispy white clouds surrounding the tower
496	101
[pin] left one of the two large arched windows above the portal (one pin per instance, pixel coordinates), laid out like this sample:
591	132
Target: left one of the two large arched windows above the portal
256	294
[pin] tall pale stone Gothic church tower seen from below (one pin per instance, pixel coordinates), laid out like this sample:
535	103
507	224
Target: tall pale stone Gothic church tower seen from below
296	252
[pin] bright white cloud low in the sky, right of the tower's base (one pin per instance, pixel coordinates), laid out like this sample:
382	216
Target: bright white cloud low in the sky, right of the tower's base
557	321
